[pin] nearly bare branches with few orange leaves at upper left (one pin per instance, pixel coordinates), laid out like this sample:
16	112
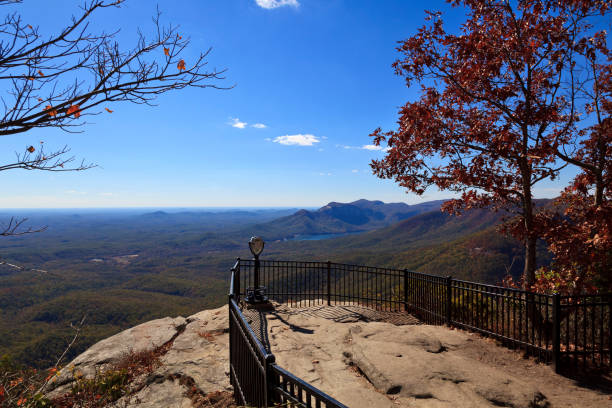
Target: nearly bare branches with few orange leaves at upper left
57	81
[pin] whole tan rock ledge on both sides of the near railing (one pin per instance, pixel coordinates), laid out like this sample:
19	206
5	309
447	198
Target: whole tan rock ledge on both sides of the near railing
362	364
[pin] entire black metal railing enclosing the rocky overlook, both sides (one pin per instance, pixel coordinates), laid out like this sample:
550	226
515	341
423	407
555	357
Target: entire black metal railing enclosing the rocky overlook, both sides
568	331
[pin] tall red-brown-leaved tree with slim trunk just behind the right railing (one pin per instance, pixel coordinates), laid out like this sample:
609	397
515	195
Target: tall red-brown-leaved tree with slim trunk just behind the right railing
498	105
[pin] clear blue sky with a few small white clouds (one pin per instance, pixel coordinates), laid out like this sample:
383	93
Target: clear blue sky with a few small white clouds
312	79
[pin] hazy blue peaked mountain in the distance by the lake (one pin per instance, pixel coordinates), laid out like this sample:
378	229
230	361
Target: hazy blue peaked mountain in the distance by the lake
338	218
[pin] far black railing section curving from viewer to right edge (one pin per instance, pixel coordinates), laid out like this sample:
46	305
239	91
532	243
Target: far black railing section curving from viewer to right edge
567	331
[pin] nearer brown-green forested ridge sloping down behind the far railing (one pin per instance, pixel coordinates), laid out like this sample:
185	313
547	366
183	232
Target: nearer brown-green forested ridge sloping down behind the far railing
467	246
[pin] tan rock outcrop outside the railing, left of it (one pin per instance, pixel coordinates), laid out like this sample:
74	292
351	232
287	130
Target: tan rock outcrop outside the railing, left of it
193	354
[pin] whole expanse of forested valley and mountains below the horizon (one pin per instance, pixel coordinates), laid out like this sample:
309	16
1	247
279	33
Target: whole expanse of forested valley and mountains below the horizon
119	269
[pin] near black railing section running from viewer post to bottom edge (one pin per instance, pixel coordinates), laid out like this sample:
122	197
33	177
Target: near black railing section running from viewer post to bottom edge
256	379
